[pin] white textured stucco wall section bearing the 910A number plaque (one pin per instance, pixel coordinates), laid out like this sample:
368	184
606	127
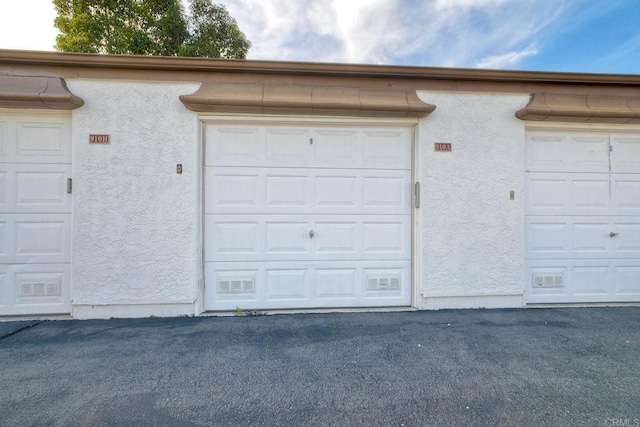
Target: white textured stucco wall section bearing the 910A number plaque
472	233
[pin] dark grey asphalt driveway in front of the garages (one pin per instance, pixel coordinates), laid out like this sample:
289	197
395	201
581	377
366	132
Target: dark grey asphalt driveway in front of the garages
577	366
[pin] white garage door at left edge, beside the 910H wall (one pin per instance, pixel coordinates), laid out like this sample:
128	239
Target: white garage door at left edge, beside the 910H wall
35	214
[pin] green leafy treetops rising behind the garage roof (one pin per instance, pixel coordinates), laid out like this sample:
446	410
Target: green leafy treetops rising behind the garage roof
148	27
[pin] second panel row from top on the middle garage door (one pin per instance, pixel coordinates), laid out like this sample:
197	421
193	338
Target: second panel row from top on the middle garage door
305	191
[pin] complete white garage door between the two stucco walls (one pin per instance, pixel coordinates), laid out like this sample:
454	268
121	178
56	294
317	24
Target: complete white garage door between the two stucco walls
307	216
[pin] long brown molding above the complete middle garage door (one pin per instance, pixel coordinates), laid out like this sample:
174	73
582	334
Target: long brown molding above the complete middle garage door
307	100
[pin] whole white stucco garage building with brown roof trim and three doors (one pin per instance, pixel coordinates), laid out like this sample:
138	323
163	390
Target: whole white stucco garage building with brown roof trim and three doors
138	186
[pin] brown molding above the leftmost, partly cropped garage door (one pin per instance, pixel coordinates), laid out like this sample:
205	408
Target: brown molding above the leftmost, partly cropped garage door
37	93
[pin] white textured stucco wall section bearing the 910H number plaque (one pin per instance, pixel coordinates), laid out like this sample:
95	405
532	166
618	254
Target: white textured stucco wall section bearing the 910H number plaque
135	238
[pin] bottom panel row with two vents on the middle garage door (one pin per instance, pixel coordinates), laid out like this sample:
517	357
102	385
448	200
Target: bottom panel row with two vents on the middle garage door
317	284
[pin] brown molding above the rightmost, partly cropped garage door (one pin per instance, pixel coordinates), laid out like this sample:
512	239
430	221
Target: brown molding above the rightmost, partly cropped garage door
581	108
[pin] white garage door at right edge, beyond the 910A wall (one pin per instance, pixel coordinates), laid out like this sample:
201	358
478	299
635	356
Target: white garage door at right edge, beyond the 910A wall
583	217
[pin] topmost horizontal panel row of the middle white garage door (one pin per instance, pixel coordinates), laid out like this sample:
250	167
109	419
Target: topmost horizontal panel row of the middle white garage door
319	147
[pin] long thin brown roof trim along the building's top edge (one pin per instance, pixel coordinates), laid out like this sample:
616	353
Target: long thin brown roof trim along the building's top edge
85	60
